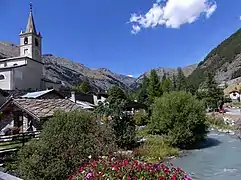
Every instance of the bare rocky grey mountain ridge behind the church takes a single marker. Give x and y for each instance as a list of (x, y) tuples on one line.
[(70, 72)]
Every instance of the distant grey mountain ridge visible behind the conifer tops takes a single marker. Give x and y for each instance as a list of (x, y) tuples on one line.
[(168, 71)]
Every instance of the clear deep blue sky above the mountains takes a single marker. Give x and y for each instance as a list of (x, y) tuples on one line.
[(98, 33)]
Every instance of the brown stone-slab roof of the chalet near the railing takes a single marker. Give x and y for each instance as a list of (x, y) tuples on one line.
[(43, 108)]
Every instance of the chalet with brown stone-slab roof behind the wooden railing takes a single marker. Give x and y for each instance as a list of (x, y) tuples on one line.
[(29, 114)]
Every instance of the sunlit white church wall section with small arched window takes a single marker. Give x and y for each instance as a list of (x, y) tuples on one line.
[(6, 79)]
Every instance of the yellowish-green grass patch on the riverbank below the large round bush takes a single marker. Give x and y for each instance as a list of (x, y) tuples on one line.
[(155, 149)]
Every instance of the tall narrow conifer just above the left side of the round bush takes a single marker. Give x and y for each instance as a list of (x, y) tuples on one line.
[(154, 86)]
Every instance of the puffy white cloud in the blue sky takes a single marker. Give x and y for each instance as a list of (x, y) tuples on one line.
[(172, 13)]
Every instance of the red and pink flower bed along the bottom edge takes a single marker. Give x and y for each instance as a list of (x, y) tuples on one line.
[(109, 168)]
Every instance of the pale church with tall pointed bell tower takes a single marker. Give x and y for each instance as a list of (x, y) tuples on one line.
[(27, 70)]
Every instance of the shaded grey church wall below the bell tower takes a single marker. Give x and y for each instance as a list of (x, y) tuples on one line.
[(28, 77)]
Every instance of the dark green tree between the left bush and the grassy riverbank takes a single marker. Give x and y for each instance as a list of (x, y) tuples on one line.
[(120, 121)]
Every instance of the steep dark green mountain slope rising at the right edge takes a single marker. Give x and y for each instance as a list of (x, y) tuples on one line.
[(224, 61)]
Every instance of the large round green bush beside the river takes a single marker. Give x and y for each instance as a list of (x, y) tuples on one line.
[(179, 117)]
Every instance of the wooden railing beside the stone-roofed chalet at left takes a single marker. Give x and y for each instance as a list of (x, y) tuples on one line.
[(11, 143)]
